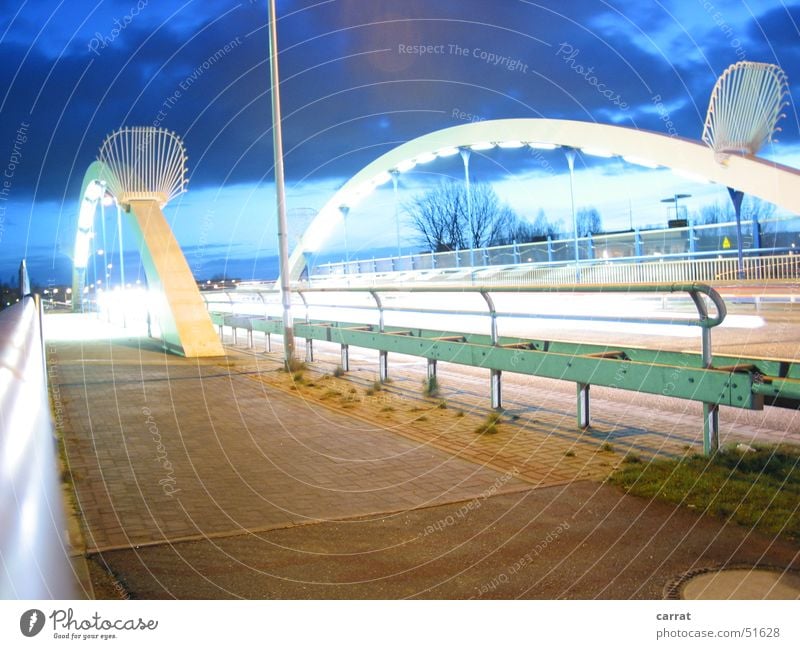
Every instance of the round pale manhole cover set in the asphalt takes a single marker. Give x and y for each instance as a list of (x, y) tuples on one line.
[(741, 583)]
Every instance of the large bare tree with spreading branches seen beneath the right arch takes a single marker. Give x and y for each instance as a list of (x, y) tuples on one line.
[(446, 220)]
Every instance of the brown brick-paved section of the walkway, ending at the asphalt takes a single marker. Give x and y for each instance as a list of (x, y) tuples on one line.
[(168, 448)]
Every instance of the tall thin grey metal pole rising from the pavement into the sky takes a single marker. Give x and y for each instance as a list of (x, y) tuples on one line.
[(280, 191)]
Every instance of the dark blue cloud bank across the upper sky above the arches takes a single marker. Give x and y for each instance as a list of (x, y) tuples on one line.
[(355, 82)]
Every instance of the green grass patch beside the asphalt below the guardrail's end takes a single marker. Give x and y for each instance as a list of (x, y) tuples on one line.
[(756, 490)]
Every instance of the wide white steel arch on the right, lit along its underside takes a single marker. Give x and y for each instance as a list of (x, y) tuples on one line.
[(767, 180)]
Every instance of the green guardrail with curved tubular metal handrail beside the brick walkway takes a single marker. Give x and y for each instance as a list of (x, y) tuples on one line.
[(737, 382)]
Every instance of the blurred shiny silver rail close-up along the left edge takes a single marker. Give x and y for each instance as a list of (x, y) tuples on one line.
[(34, 552)]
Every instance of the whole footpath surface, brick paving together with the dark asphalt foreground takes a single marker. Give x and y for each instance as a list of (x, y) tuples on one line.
[(198, 479)]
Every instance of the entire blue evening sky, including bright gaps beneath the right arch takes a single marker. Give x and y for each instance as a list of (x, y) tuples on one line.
[(358, 78)]
